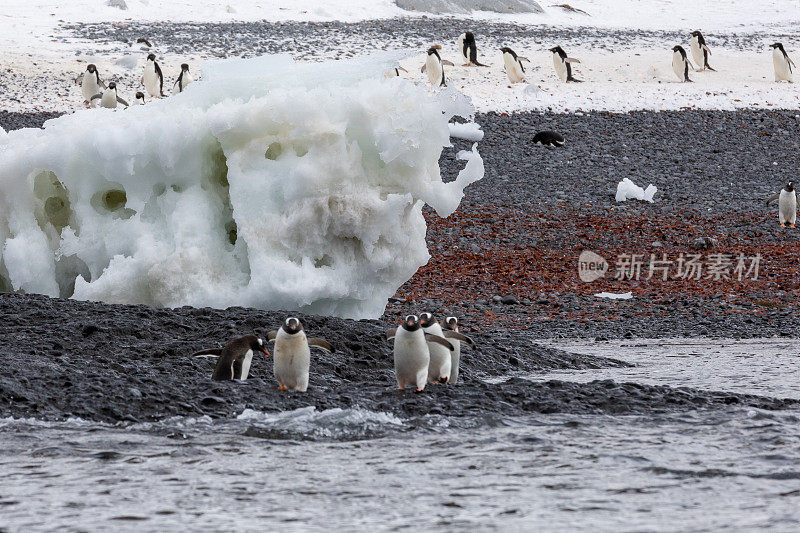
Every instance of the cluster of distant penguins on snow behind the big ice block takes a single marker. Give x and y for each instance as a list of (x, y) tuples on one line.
[(94, 90)]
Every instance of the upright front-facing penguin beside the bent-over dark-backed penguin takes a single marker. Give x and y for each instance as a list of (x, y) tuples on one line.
[(292, 355)]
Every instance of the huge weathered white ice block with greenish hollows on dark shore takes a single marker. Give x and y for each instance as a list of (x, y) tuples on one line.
[(268, 183)]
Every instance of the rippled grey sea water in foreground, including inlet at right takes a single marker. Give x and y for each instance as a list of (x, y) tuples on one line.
[(729, 469)]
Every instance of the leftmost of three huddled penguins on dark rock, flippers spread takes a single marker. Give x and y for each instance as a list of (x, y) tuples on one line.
[(411, 353)]
